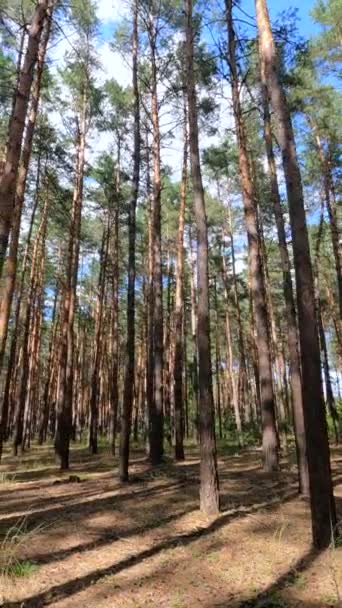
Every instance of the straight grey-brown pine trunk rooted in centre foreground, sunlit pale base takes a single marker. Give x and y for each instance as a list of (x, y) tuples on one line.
[(209, 485)]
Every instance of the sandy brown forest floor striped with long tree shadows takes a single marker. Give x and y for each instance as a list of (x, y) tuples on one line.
[(100, 544)]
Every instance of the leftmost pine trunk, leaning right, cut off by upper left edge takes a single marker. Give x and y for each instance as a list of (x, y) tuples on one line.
[(8, 176)]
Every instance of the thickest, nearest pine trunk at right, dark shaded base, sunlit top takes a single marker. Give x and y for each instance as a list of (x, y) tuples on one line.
[(322, 503)]
